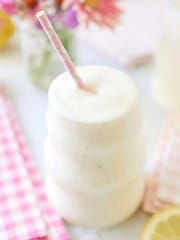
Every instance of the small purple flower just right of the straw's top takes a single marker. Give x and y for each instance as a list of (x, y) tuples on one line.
[(69, 18)]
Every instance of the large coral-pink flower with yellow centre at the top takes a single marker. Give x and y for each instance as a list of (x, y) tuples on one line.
[(102, 12)]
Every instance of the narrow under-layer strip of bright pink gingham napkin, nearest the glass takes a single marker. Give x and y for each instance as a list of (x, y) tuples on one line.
[(55, 226)]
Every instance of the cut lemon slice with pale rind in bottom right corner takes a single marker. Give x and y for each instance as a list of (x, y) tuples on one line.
[(164, 225)]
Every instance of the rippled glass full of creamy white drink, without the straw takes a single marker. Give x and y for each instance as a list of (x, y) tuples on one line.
[(94, 151)]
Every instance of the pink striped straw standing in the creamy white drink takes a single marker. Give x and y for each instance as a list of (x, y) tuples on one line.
[(58, 46)]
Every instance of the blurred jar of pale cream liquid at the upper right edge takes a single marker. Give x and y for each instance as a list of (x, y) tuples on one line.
[(166, 85)]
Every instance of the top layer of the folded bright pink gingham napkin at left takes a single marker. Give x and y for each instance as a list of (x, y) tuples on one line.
[(20, 216)]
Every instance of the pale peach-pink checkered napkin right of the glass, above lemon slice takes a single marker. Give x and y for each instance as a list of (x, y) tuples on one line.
[(163, 179)]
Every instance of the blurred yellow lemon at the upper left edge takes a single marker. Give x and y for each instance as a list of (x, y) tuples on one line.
[(6, 28)]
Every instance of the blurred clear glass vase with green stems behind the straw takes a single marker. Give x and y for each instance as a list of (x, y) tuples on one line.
[(41, 63)]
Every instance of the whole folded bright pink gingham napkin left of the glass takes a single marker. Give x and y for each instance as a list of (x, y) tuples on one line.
[(25, 212)]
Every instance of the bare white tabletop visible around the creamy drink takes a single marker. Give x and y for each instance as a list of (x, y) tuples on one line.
[(31, 103)]
